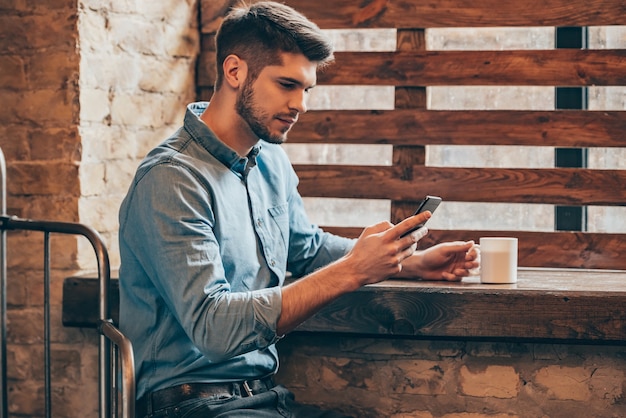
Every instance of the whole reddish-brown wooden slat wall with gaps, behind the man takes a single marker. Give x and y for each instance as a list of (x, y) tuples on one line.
[(410, 126)]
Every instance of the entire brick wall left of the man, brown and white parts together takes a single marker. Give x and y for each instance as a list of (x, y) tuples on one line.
[(87, 88)]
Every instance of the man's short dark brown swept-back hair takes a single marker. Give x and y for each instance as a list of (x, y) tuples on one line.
[(260, 32)]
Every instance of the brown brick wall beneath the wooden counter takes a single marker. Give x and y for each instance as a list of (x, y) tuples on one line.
[(400, 378)]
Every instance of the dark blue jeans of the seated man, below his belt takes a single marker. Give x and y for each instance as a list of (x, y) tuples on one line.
[(275, 403)]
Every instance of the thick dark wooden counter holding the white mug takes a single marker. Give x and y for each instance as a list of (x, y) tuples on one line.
[(568, 305)]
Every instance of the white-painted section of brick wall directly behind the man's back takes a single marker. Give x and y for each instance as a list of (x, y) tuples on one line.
[(137, 74)]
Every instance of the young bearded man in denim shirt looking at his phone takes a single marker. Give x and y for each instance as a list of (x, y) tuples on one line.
[(213, 221)]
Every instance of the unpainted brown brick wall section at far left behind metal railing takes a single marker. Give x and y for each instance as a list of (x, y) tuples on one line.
[(39, 73)]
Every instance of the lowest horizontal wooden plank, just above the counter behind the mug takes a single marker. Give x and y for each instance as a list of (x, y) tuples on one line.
[(538, 249)]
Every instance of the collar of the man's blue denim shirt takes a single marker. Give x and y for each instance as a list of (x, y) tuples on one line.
[(205, 136)]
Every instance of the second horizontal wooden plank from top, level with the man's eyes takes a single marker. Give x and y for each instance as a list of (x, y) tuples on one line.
[(562, 67)]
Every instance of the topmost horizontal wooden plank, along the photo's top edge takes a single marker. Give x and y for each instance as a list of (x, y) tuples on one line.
[(443, 13)]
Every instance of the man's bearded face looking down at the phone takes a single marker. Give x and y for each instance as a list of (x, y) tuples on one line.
[(270, 105)]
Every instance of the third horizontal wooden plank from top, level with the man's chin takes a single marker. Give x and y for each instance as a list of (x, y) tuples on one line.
[(424, 127)]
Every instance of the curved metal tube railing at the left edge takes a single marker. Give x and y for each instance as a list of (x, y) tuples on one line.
[(113, 345)]
